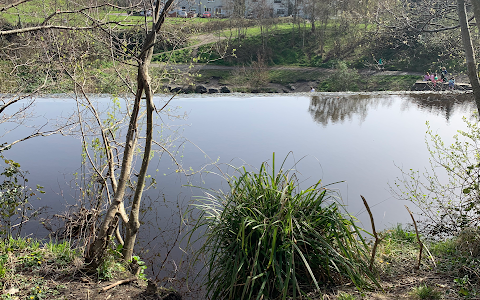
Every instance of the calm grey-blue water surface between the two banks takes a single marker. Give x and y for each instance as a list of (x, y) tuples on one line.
[(358, 140)]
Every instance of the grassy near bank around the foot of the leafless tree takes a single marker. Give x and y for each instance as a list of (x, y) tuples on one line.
[(38, 270)]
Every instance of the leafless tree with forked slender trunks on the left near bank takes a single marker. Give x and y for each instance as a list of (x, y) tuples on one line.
[(87, 17)]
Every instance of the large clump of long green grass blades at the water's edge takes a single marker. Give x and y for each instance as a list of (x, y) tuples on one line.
[(266, 239)]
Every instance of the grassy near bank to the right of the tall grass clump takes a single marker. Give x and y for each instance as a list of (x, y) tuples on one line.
[(450, 272)]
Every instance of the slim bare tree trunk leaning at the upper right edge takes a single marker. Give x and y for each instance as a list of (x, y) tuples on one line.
[(469, 54)]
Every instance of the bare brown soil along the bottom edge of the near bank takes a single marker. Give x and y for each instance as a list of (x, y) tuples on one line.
[(82, 287)]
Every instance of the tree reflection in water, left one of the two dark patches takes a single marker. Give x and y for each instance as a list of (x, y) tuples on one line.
[(334, 109)]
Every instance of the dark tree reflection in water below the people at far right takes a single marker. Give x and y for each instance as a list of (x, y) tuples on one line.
[(441, 104)]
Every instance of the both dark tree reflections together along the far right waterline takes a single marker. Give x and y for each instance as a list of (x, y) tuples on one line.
[(333, 109)]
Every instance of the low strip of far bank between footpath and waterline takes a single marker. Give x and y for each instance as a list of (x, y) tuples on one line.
[(205, 78)]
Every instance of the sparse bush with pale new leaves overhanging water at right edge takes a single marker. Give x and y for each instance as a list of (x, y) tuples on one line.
[(453, 204)]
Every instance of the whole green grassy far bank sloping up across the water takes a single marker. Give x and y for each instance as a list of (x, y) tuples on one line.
[(247, 55)]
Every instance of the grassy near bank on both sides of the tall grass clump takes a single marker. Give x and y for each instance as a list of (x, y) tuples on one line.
[(30, 269)]
